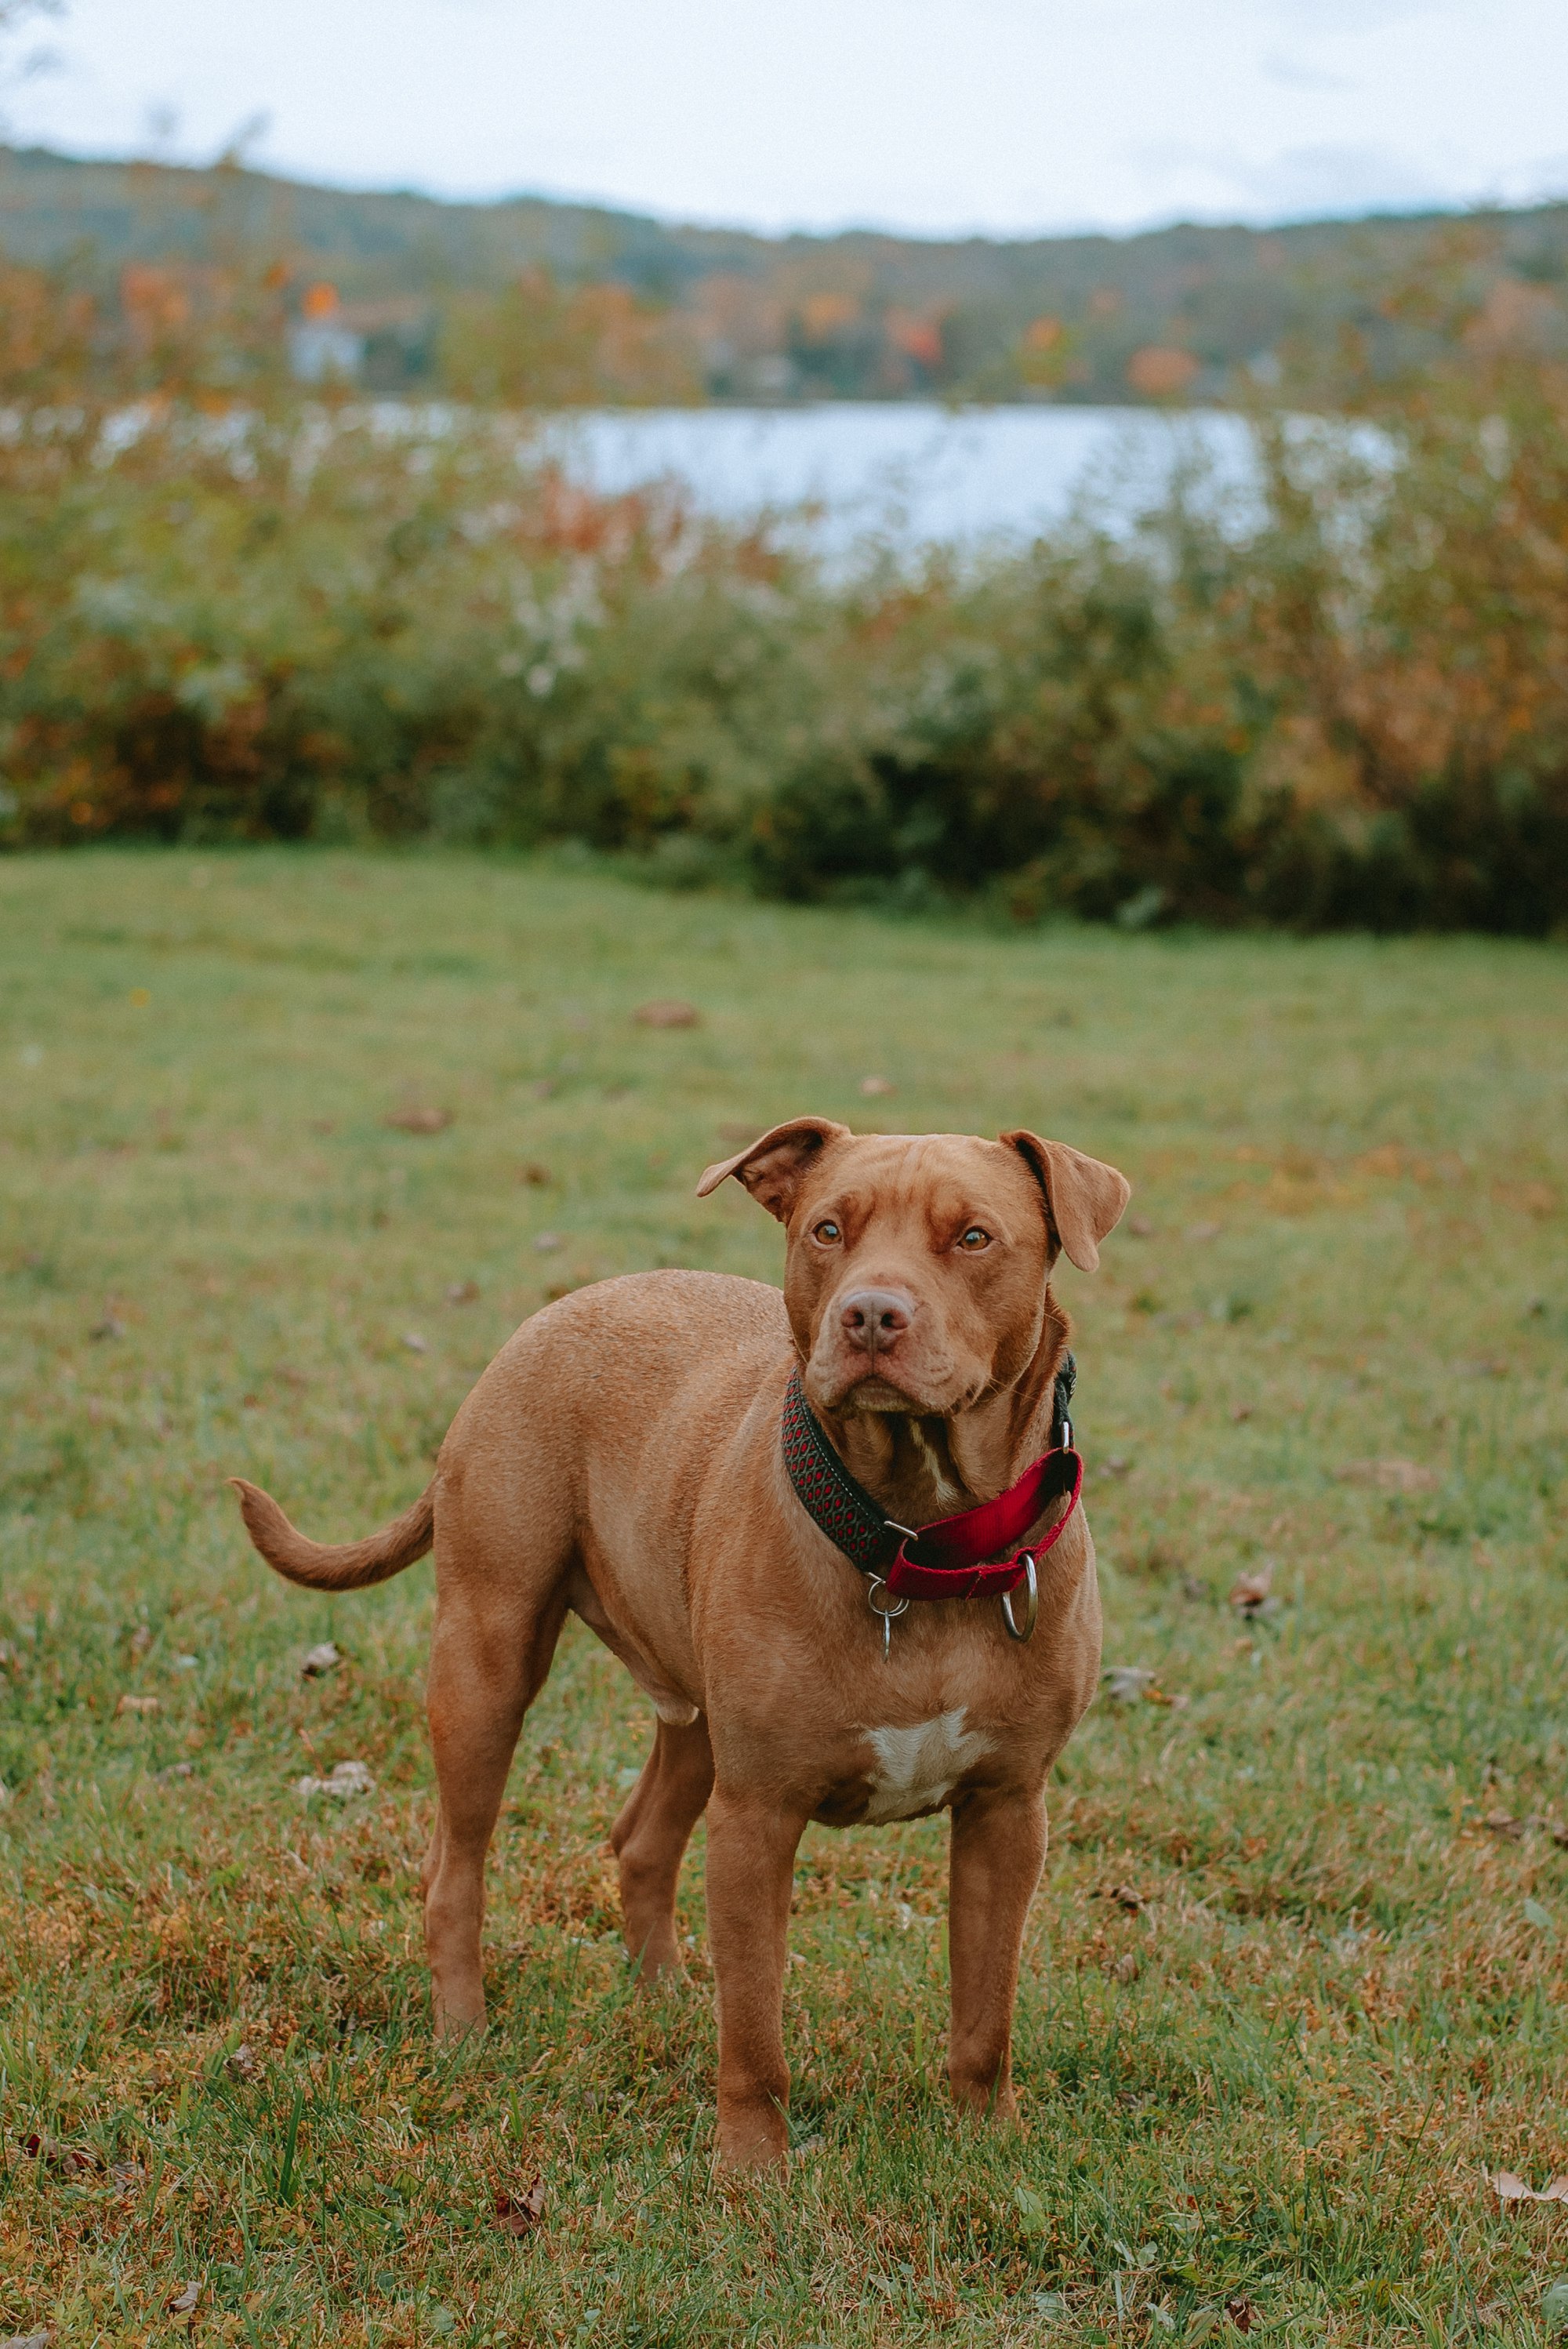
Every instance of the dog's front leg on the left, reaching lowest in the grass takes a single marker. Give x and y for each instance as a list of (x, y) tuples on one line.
[(750, 1878)]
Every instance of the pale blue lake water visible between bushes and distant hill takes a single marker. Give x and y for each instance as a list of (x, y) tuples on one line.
[(903, 473)]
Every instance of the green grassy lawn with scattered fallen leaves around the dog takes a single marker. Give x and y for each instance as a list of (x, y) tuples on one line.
[(1295, 1979)]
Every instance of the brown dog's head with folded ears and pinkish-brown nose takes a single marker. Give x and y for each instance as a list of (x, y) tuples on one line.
[(919, 1265)]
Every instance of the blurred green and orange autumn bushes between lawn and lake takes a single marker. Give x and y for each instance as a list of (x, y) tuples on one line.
[(236, 612)]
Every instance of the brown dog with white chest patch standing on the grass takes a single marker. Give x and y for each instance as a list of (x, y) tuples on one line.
[(623, 1458)]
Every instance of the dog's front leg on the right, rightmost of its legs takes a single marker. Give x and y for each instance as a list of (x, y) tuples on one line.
[(999, 1852)]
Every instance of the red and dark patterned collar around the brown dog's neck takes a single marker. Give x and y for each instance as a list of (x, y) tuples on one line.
[(952, 1559)]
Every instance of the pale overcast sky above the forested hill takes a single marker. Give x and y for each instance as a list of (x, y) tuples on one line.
[(816, 114)]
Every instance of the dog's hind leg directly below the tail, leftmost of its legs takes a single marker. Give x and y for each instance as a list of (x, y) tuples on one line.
[(487, 1664)]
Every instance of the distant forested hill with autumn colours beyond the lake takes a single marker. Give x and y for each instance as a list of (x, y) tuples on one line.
[(1172, 314)]
